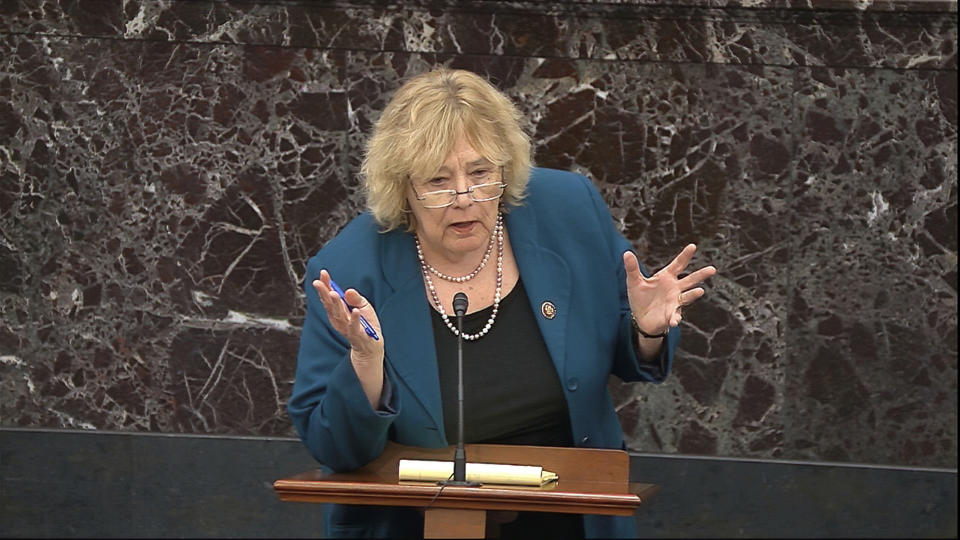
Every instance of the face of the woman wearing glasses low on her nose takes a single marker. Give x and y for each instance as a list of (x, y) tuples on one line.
[(456, 231)]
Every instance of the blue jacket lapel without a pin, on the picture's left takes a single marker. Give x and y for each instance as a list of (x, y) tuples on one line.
[(407, 327)]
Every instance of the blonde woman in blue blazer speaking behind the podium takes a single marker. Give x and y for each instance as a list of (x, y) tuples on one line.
[(557, 302)]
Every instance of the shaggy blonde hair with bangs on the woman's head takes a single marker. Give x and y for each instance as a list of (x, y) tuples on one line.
[(420, 126)]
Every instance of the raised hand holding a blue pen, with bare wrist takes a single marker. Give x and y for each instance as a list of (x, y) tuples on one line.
[(366, 353)]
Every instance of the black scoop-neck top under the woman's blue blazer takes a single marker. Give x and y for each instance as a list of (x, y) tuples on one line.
[(512, 394)]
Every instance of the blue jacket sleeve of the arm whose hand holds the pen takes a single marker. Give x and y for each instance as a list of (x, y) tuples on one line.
[(328, 407)]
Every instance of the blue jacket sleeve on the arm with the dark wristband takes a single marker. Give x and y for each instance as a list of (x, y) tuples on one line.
[(627, 364)]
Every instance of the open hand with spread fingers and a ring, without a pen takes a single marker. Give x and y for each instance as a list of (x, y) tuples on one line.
[(657, 301)]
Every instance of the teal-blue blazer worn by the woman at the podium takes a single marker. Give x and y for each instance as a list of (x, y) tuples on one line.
[(569, 253)]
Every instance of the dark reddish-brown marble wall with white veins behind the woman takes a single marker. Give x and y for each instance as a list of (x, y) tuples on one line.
[(166, 168)]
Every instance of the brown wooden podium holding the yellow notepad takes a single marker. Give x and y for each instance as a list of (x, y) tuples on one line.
[(591, 481)]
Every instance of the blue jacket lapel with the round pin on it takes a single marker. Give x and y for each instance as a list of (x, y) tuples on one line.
[(546, 277)]
